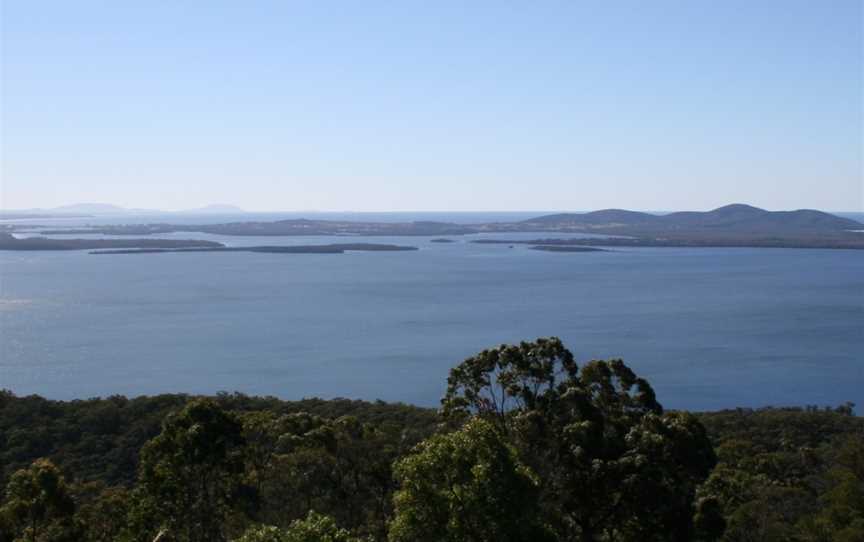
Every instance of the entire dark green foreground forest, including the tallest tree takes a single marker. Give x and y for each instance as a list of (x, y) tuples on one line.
[(527, 445)]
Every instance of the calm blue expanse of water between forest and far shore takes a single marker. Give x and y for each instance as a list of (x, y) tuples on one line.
[(709, 328)]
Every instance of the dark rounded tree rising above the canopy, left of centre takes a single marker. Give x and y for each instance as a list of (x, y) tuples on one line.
[(190, 474)]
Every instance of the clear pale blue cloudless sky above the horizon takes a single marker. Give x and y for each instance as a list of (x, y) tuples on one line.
[(444, 105)]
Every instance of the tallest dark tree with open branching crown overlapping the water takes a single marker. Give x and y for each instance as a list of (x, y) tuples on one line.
[(611, 464)]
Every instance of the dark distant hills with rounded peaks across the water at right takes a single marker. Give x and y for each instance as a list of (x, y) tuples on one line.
[(730, 218)]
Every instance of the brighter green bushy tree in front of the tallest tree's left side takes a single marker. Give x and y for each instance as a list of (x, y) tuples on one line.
[(466, 486)]
